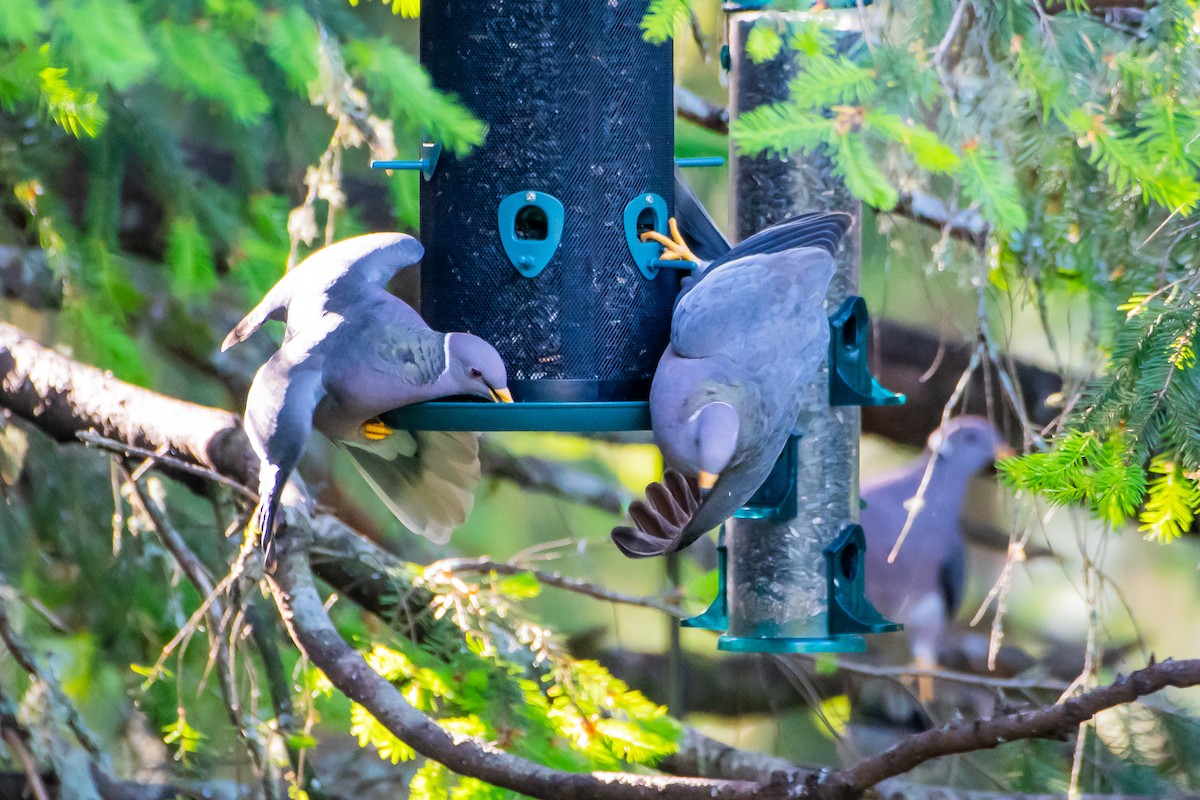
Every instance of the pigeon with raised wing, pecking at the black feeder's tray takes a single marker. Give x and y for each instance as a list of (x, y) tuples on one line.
[(351, 352)]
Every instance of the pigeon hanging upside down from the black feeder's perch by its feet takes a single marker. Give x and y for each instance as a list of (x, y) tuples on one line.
[(748, 332)]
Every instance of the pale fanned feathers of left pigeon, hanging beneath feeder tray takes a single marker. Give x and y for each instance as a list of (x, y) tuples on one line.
[(430, 486)]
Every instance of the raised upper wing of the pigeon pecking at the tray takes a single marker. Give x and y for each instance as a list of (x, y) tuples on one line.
[(351, 267)]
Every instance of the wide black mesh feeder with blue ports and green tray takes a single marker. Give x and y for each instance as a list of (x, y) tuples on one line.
[(533, 240)]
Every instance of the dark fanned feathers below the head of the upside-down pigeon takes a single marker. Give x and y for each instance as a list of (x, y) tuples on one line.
[(661, 519)]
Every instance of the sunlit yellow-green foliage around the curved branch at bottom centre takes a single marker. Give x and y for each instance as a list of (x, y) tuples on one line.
[(494, 676)]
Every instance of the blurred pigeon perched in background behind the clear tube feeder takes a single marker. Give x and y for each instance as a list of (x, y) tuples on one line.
[(922, 587)]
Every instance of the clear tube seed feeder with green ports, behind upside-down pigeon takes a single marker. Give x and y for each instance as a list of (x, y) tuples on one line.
[(793, 561)]
